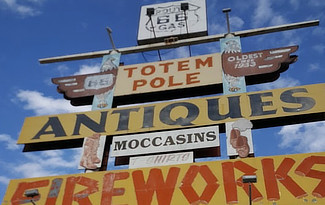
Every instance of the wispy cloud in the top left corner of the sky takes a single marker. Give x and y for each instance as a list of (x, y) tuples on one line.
[(22, 9)]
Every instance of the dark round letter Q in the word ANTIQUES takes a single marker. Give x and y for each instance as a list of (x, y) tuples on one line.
[(192, 113)]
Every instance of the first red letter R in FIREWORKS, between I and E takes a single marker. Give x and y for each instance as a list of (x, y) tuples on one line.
[(82, 196)]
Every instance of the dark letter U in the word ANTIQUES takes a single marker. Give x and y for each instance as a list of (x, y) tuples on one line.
[(214, 110)]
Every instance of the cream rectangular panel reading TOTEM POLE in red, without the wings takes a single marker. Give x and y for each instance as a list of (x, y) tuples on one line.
[(168, 75)]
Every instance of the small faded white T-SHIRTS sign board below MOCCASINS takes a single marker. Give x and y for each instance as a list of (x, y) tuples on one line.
[(161, 160)]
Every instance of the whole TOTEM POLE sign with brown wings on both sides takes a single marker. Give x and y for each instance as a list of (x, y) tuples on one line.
[(198, 75)]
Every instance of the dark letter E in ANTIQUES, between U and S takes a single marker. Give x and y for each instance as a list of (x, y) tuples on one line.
[(257, 104)]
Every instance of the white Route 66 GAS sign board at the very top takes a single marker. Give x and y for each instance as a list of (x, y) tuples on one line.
[(168, 19)]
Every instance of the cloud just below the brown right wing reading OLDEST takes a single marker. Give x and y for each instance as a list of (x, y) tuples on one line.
[(282, 82)]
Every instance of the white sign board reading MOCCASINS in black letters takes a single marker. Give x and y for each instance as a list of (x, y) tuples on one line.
[(159, 142)]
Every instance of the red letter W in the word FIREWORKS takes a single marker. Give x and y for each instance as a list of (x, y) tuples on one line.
[(155, 183)]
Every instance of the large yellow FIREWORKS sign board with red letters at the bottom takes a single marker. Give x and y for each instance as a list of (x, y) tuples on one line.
[(288, 179)]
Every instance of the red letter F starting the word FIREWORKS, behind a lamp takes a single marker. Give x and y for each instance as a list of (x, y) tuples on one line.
[(19, 198)]
